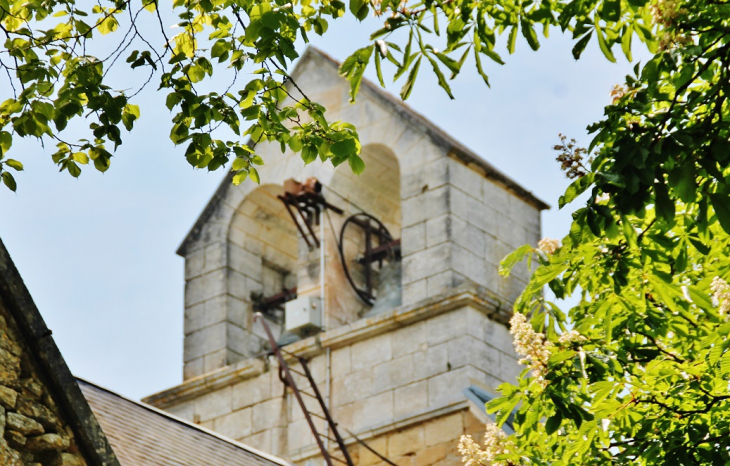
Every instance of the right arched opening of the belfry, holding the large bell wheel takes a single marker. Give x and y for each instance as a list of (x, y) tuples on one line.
[(374, 283)]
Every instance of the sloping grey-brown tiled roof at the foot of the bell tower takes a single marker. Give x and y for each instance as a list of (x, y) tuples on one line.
[(142, 435)]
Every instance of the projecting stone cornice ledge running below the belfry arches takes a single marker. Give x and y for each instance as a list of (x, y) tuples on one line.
[(465, 295)]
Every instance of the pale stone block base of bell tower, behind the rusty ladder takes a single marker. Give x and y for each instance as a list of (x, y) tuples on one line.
[(401, 390)]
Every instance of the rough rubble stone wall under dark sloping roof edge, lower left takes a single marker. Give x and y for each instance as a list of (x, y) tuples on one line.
[(32, 428)]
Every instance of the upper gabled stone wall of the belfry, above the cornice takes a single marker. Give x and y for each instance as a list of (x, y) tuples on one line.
[(455, 215)]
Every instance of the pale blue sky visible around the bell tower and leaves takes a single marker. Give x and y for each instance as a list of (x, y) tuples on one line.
[(98, 252)]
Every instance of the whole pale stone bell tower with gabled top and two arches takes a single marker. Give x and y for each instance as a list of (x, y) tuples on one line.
[(403, 264)]
